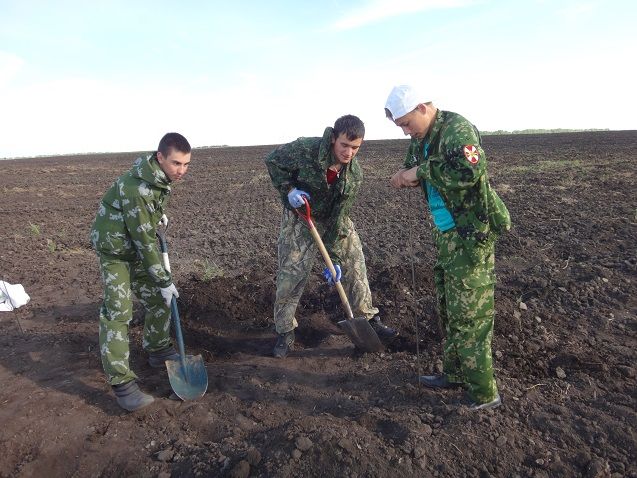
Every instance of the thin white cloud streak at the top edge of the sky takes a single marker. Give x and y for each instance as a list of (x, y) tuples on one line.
[(378, 10)]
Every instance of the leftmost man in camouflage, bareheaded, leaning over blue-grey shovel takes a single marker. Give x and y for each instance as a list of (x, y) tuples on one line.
[(123, 235)]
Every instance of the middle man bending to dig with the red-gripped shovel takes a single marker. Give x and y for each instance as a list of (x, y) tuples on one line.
[(324, 171)]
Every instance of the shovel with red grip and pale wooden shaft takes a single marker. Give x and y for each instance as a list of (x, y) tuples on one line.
[(358, 329)]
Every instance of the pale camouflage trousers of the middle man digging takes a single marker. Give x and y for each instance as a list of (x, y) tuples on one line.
[(297, 254)]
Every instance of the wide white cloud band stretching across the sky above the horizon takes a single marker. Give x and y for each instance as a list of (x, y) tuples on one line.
[(254, 106)]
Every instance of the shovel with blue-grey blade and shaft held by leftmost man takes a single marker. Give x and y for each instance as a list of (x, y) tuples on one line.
[(188, 376)]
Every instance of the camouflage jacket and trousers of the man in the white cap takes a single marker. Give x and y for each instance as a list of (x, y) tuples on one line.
[(464, 271)]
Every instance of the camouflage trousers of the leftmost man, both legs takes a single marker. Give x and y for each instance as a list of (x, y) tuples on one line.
[(120, 278)]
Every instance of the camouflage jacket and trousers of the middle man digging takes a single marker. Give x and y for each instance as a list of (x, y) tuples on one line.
[(303, 164)]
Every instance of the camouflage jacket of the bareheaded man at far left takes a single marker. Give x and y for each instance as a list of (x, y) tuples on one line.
[(128, 215)]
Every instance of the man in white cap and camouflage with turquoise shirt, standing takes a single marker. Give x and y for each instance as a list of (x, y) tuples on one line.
[(446, 159)]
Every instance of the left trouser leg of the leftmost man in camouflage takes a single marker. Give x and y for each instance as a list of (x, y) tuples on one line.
[(116, 313)]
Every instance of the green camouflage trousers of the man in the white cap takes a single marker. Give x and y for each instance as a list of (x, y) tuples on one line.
[(465, 291)]
